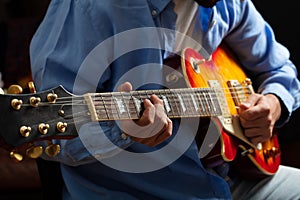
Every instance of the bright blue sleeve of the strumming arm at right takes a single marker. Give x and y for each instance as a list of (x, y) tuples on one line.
[(266, 61)]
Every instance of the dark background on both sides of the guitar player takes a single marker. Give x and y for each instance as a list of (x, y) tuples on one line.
[(18, 22)]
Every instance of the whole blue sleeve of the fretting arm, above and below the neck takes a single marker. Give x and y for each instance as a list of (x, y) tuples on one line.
[(60, 45)]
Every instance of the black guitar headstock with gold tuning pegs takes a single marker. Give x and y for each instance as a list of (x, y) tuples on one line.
[(29, 117)]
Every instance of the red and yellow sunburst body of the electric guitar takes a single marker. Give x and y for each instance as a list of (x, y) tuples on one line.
[(224, 73)]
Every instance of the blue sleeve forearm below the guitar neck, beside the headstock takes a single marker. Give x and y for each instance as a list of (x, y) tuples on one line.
[(94, 142)]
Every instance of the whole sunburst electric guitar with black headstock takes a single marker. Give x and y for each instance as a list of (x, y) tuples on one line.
[(214, 89)]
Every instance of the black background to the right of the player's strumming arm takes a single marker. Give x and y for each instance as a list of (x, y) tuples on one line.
[(283, 17)]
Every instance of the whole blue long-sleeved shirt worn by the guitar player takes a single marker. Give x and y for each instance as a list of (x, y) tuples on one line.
[(94, 45)]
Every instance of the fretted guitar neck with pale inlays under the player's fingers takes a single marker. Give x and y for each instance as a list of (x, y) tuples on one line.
[(178, 103)]
